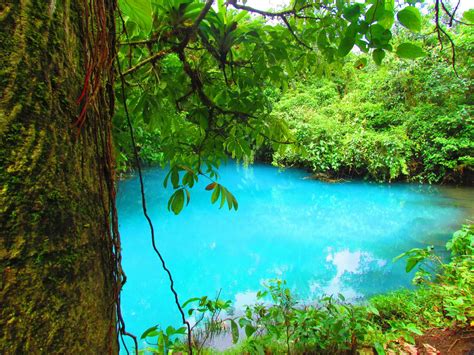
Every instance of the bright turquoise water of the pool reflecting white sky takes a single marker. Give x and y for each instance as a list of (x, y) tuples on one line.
[(322, 238)]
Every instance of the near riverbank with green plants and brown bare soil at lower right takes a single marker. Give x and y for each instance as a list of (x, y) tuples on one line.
[(435, 318)]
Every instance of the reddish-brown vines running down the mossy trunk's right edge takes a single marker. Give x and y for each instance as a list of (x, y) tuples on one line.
[(97, 97)]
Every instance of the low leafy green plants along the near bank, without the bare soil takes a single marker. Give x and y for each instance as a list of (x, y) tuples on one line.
[(279, 323)]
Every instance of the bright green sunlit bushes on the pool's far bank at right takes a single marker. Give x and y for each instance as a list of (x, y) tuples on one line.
[(406, 120)]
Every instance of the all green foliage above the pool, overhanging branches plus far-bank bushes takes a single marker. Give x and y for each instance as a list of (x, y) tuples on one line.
[(231, 94)]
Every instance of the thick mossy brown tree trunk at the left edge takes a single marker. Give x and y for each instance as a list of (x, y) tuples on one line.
[(57, 259)]
